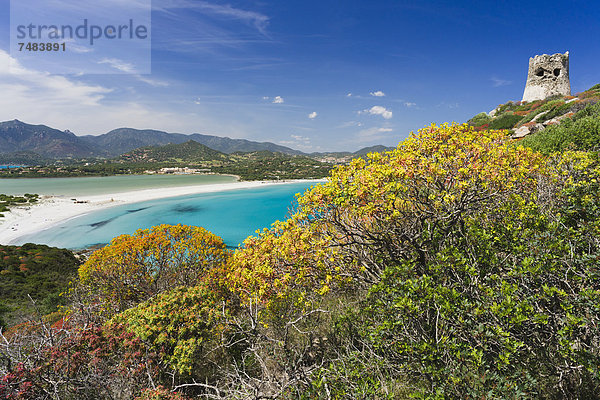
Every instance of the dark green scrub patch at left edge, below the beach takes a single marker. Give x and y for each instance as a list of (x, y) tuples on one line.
[(33, 276)]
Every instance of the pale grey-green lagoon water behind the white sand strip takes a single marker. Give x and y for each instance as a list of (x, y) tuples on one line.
[(105, 184)]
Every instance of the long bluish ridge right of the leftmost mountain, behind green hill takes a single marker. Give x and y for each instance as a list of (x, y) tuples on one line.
[(122, 140)]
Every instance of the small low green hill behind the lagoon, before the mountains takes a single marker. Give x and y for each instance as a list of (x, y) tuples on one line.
[(188, 152)]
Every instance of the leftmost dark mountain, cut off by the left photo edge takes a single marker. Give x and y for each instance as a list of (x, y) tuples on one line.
[(17, 136)]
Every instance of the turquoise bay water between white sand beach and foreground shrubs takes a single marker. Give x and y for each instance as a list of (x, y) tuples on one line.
[(233, 215)]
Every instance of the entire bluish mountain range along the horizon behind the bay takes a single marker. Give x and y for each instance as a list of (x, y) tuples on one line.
[(22, 141)]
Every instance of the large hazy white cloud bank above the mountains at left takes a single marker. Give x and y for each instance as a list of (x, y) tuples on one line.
[(61, 102)]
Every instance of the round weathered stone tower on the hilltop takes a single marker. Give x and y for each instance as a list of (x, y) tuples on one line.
[(548, 75)]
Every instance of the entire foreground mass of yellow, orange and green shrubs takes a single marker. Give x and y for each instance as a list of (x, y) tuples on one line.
[(457, 266)]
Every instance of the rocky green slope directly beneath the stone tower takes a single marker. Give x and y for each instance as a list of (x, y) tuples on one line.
[(524, 118)]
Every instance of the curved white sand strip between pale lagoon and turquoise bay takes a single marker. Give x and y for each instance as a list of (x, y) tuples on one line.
[(53, 210)]
